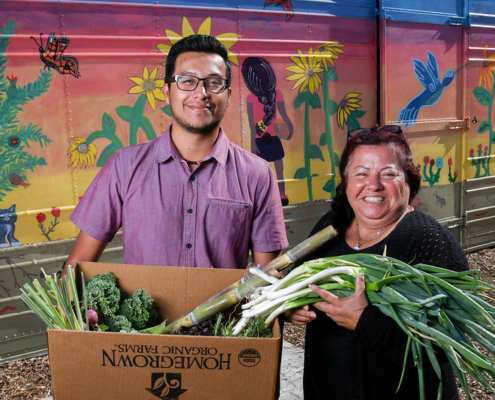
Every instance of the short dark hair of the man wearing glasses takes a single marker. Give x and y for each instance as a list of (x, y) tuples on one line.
[(197, 44)]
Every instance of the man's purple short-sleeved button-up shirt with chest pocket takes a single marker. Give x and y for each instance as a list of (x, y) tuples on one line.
[(171, 216)]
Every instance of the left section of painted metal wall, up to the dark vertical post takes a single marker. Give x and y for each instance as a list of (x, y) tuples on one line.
[(111, 39)]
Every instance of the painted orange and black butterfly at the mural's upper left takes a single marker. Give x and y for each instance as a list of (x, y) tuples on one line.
[(53, 58)]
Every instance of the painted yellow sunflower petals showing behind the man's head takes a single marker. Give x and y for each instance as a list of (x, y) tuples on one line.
[(228, 39)]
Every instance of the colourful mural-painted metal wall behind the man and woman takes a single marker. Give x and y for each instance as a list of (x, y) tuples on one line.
[(115, 39)]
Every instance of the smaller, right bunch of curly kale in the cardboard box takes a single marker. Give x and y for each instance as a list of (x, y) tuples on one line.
[(139, 310)]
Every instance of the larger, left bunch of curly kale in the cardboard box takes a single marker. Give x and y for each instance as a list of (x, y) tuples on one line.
[(104, 296)]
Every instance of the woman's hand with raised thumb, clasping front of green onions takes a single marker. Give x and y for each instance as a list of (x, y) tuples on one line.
[(344, 311)]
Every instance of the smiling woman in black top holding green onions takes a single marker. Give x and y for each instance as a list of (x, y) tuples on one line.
[(353, 351)]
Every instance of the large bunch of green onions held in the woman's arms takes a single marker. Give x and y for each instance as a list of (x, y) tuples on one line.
[(432, 305)]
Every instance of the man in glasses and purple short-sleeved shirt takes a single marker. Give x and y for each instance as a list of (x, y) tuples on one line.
[(189, 198)]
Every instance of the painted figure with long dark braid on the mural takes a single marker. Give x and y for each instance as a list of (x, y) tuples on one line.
[(262, 105)]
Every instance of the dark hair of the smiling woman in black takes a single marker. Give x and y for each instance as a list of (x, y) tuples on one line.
[(342, 211)]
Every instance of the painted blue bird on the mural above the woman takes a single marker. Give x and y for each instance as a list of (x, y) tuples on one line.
[(429, 78)]
